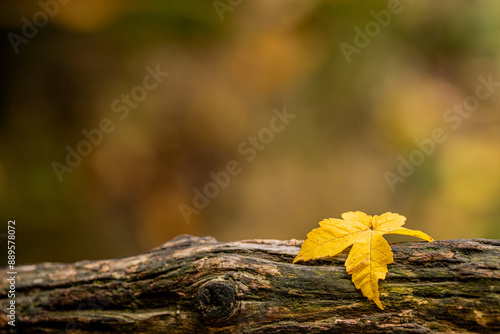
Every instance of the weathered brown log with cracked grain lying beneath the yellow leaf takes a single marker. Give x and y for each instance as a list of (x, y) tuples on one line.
[(199, 285)]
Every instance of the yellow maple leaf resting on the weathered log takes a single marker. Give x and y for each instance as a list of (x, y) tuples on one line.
[(368, 259)]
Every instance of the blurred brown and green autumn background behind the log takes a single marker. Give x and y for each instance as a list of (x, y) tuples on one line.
[(229, 66)]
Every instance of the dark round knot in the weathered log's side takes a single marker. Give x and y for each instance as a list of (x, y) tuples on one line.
[(217, 300)]
